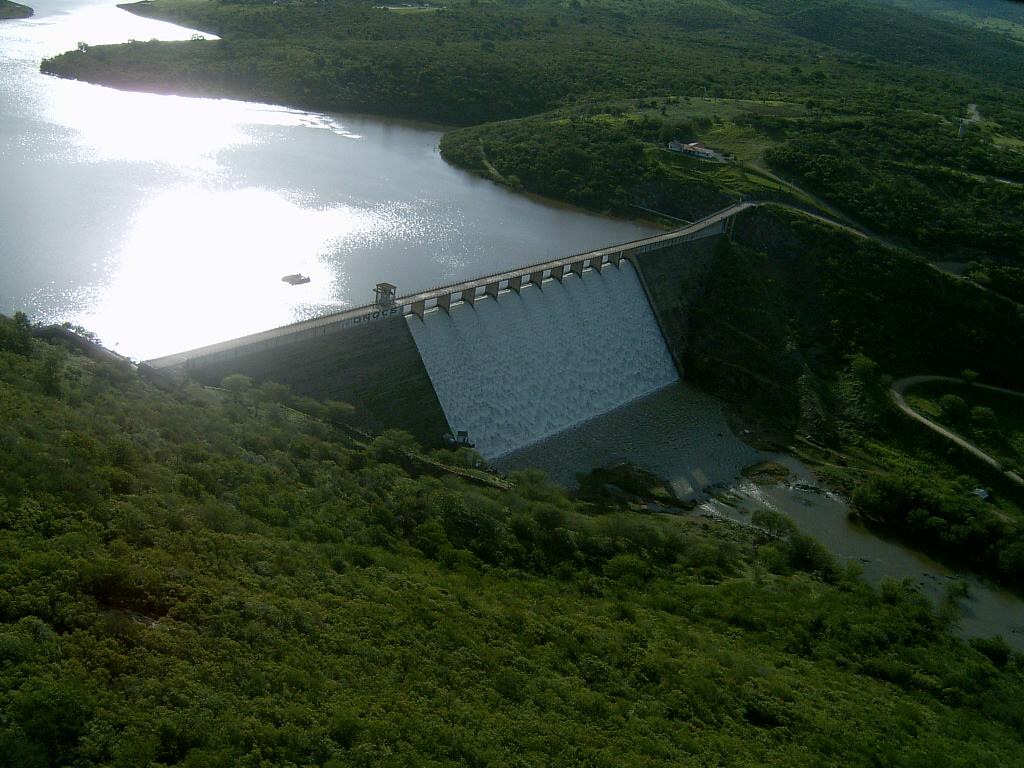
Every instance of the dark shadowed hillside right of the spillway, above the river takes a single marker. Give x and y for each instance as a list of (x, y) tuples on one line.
[(802, 327)]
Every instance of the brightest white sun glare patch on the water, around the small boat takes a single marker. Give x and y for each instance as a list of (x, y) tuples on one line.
[(208, 259)]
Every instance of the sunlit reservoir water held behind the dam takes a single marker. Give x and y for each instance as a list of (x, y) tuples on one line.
[(163, 224)]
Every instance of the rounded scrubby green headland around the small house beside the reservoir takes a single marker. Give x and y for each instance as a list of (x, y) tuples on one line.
[(613, 156)]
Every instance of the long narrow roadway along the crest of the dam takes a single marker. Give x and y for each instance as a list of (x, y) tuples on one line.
[(444, 297)]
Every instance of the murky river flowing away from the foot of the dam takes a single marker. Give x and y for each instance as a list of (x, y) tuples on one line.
[(682, 436)]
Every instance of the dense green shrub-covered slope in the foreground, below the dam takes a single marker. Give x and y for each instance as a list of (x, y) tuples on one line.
[(188, 581)]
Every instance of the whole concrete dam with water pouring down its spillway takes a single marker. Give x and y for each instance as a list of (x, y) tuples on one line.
[(509, 359)]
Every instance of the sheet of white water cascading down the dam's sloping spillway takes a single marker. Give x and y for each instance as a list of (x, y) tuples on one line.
[(526, 367)]
